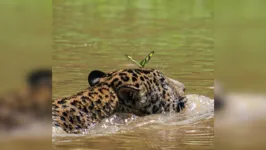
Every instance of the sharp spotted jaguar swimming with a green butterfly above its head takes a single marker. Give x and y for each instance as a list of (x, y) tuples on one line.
[(138, 91)]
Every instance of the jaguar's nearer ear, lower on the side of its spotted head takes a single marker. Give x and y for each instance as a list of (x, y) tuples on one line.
[(128, 93)]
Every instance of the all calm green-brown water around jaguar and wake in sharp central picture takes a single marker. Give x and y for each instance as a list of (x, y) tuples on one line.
[(92, 35)]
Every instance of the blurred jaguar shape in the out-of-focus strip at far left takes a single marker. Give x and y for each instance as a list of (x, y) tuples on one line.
[(21, 107)]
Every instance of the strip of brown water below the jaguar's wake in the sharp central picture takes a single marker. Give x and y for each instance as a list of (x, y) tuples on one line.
[(163, 137)]
